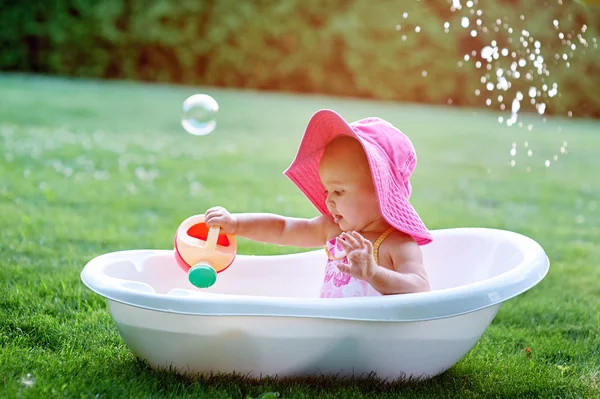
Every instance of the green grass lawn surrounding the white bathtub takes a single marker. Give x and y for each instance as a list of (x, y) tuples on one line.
[(90, 167)]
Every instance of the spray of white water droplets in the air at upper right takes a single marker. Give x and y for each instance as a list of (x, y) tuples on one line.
[(516, 66)]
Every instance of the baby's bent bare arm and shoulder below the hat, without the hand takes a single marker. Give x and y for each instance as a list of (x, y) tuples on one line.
[(407, 274)]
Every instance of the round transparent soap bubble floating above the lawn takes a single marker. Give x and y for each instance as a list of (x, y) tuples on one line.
[(199, 114)]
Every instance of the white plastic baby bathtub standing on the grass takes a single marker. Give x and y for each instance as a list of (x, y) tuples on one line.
[(263, 315)]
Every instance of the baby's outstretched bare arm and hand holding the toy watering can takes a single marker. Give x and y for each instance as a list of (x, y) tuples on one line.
[(274, 229)]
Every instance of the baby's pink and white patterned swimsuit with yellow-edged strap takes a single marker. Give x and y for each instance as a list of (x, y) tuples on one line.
[(339, 285)]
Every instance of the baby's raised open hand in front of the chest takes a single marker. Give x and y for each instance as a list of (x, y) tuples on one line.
[(359, 250)]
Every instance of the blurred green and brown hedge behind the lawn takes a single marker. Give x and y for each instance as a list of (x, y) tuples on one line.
[(415, 51)]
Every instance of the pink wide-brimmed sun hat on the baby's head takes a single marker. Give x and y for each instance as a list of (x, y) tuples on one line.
[(392, 160)]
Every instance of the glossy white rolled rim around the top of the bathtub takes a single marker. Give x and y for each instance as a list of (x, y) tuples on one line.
[(437, 304)]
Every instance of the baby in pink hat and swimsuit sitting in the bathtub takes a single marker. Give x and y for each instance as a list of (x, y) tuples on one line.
[(357, 176)]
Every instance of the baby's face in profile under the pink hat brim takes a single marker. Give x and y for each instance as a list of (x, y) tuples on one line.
[(351, 196)]
